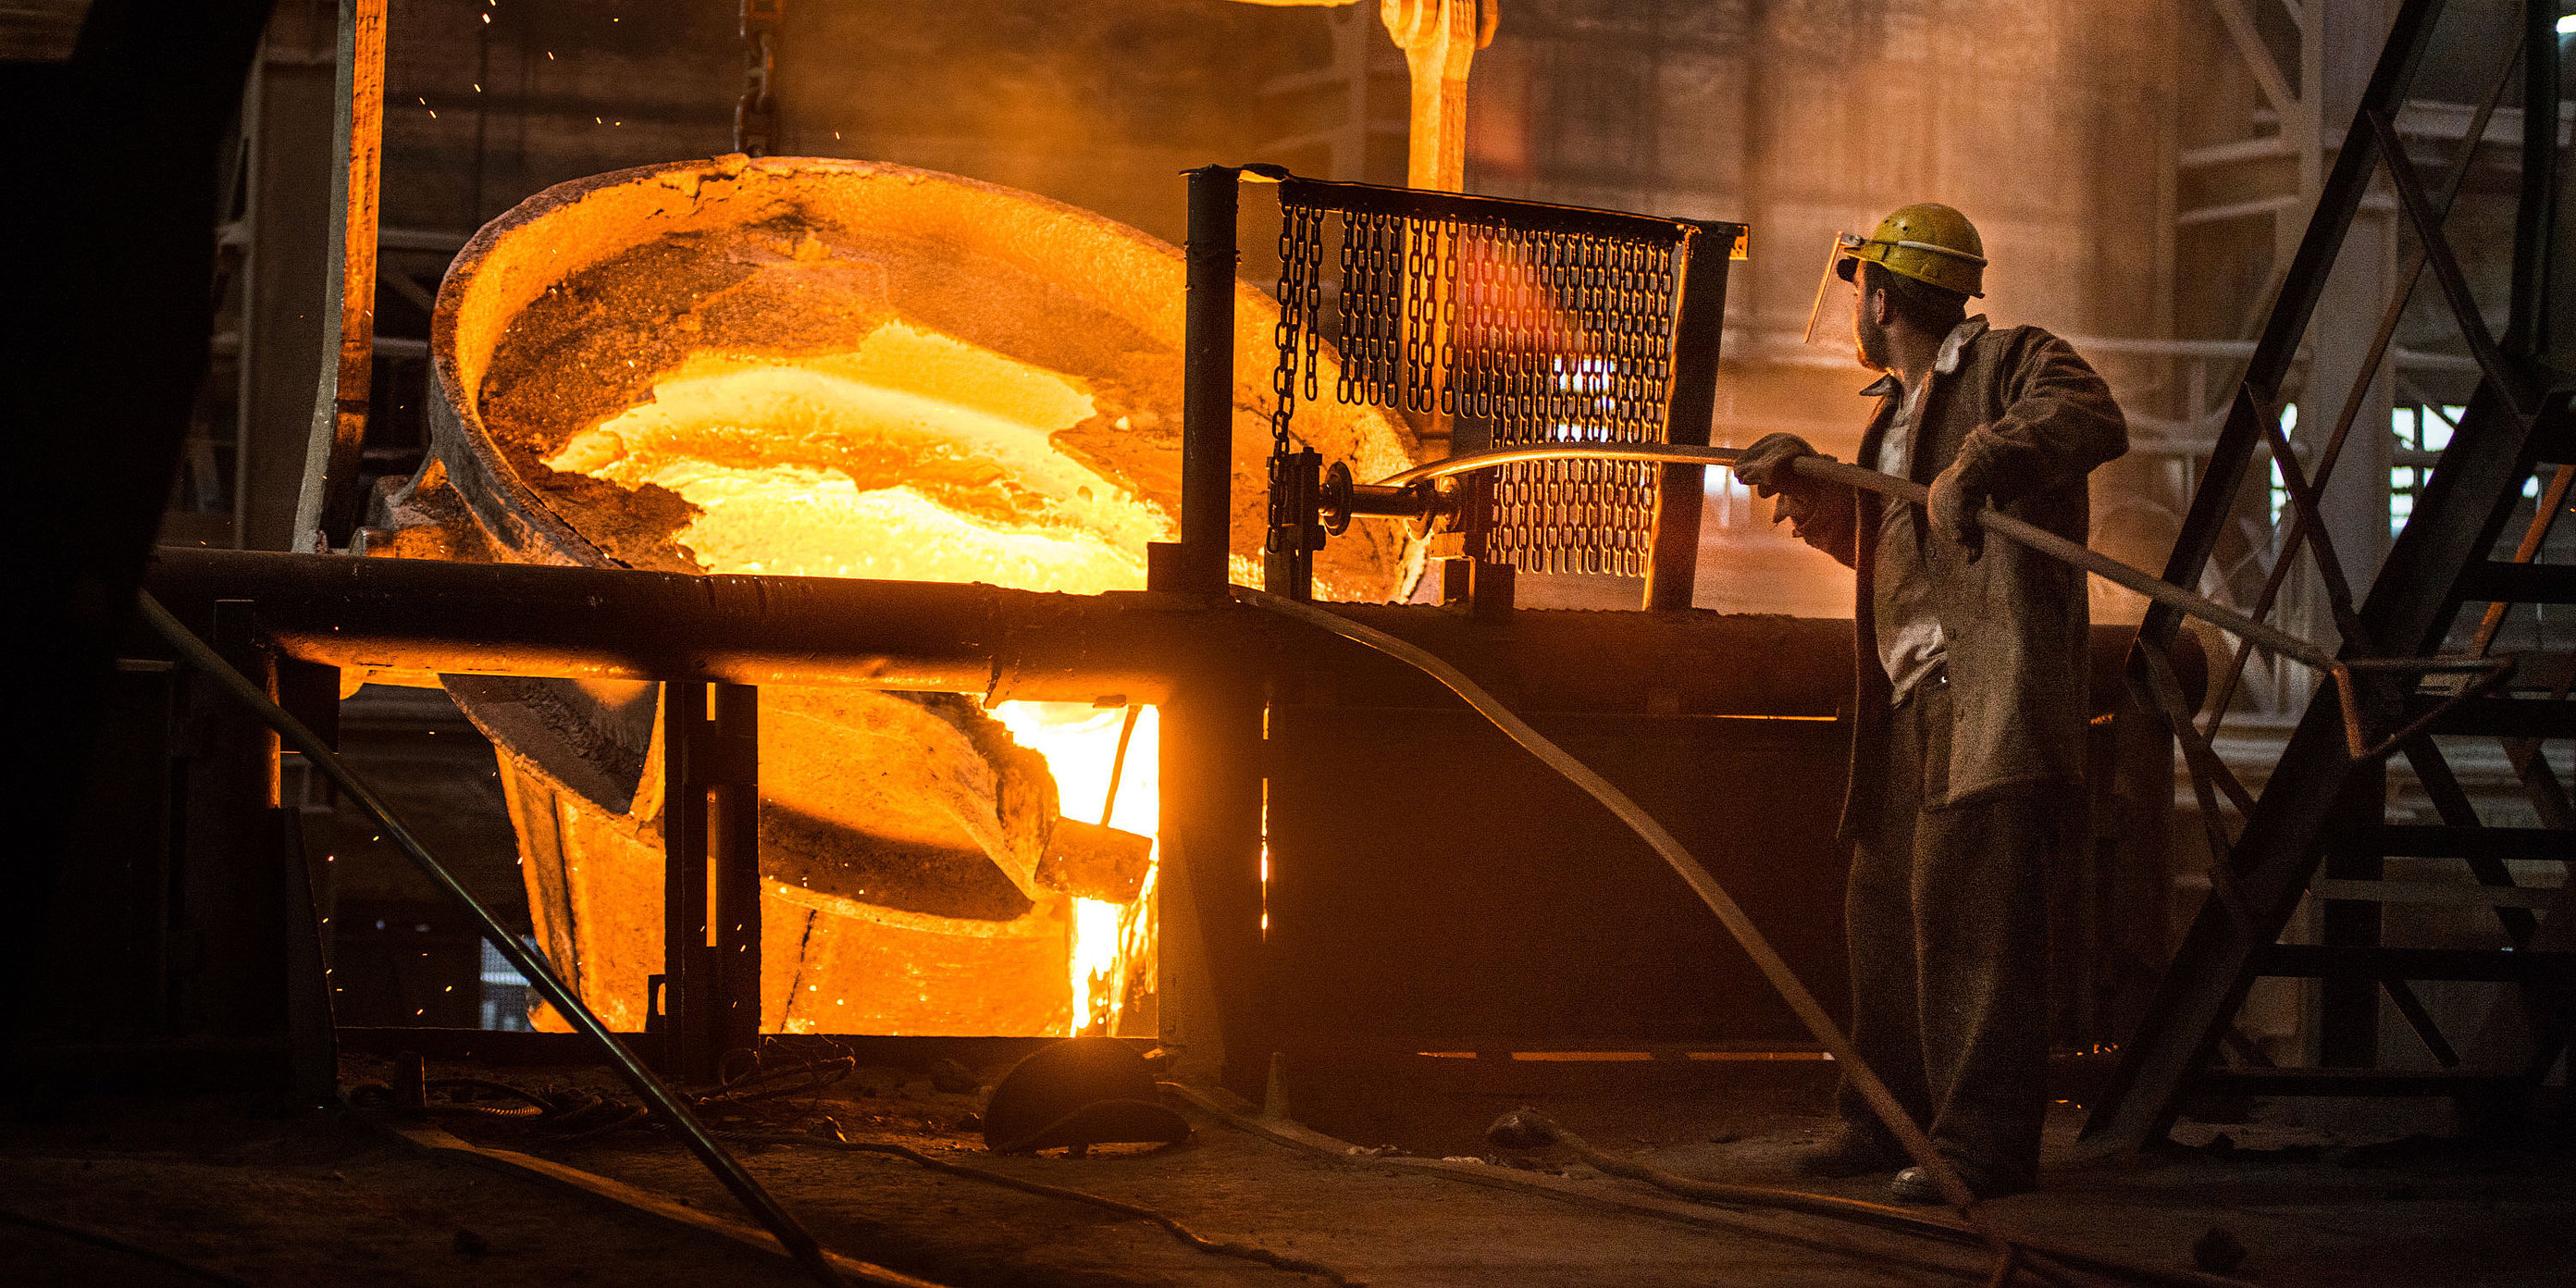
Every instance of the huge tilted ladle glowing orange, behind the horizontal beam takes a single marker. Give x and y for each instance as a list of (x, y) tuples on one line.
[(838, 370)]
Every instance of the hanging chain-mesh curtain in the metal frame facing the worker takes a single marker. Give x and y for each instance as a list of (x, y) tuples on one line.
[(1526, 323)]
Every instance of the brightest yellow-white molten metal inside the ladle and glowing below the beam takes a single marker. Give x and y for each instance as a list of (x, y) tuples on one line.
[(918, 457)]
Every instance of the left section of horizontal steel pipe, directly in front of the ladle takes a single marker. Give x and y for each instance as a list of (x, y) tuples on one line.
[(625, 625)]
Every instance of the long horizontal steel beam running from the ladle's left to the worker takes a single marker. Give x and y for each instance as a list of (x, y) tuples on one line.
[(625, 625)]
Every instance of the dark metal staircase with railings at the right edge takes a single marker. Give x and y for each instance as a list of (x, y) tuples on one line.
[(2307, 808)]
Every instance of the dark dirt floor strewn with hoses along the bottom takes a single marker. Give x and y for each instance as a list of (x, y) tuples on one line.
[(220, 1191)]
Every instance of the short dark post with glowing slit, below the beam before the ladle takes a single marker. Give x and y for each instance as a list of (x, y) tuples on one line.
[(710, 875)]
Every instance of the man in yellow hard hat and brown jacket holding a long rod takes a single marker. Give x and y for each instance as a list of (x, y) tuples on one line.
[(1972, 694)]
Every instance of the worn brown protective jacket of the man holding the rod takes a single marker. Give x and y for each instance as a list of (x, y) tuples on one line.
[(2026, 416)]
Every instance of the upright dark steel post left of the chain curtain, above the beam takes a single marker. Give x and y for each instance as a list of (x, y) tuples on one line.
[(1207, 385)]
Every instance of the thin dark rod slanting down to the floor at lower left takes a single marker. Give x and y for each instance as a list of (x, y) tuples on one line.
[(658, 1096)]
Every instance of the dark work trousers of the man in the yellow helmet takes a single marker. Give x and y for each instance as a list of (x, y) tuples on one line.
[(1949, 926)]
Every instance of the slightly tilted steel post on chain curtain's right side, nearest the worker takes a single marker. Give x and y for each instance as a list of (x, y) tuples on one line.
[(1673, 560)]
